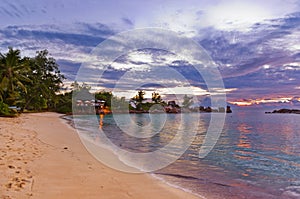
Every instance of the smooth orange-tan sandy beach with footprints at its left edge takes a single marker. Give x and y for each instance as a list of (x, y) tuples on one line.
[(41, 157)]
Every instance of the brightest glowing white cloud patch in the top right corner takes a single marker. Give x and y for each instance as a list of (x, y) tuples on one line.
[(238, 15)]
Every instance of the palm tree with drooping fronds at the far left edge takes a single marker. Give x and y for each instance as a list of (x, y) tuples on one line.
[(12, 75)]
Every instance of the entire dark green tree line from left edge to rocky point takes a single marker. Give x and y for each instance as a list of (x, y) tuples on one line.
[(33, 84)]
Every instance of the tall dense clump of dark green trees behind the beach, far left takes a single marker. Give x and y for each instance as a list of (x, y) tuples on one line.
[(28, 83)]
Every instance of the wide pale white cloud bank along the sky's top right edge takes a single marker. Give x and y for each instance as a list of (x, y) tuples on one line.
[(229, 15)]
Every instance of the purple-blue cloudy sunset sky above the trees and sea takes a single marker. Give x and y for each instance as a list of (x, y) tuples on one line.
[(255, 44)]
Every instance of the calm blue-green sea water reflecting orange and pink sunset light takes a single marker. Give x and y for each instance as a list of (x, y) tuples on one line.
[(256, 156)]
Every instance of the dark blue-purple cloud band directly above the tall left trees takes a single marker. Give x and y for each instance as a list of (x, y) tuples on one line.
[(65, 44)]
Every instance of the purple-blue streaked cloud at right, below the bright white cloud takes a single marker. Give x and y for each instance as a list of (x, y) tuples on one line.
[(270, 43)]
